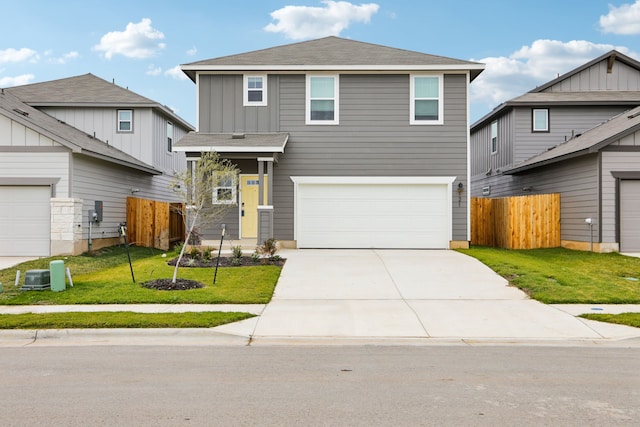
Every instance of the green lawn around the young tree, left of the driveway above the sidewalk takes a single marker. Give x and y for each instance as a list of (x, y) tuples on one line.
[(106, 279)]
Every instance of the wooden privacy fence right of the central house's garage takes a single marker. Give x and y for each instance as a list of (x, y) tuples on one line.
[(522, 222)]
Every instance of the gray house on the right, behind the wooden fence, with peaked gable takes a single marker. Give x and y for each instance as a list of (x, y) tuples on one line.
[(553, 140)]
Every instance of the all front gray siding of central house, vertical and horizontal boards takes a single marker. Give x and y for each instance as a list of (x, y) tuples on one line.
[(374, 137)]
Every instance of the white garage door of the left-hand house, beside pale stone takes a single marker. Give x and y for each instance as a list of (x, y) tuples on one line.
[(25, 221)]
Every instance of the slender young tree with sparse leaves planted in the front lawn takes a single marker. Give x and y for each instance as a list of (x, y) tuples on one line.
[(208, 192)]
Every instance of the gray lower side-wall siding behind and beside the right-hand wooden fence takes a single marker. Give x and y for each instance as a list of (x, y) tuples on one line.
[(577, 182)]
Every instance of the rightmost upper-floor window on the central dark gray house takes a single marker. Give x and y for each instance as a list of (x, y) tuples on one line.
[(426, 99)]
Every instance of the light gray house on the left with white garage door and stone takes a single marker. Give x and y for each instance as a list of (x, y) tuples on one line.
[(67, 144)]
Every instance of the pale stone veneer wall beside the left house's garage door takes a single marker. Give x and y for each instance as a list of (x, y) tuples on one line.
[(66, 226)]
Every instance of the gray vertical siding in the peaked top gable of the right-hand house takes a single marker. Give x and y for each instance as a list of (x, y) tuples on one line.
[(596, 77)]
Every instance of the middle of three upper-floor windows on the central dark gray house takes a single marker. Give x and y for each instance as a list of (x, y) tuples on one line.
[(322, 100)]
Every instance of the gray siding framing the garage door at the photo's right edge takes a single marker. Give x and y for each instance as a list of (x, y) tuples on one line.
[(614, 161)]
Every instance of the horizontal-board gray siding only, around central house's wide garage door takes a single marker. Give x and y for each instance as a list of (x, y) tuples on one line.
[(374, 138)]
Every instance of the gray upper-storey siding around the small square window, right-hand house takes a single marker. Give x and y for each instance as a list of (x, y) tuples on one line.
[(563, 123)]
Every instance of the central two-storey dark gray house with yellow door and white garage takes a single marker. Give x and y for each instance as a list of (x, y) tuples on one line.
[(340, 144)]
